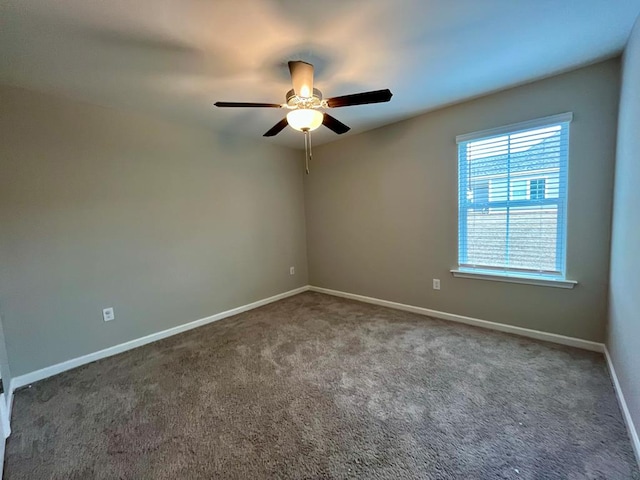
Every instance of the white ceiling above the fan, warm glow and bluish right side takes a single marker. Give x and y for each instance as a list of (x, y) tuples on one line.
[(176, 57)]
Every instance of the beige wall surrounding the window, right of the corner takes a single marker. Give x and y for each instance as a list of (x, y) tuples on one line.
[(382, 208)]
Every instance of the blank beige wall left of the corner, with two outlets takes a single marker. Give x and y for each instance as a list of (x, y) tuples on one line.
[(166, 223)]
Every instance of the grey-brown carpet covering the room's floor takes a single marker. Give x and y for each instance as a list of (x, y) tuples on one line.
[(318, 387)]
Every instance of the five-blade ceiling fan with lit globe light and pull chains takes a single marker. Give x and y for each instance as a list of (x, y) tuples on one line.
[(304, 103)]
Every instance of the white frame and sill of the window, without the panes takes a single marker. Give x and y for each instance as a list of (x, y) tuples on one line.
[(503, 273)]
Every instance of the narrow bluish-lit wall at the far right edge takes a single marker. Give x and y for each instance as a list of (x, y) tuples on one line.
[(624, 308)]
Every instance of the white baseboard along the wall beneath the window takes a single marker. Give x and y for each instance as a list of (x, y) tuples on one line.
[(524, 332)]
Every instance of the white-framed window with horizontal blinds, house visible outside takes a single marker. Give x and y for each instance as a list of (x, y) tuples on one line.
[(512, 191)]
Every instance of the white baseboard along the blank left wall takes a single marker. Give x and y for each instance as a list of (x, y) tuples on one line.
[(31, 377)]
